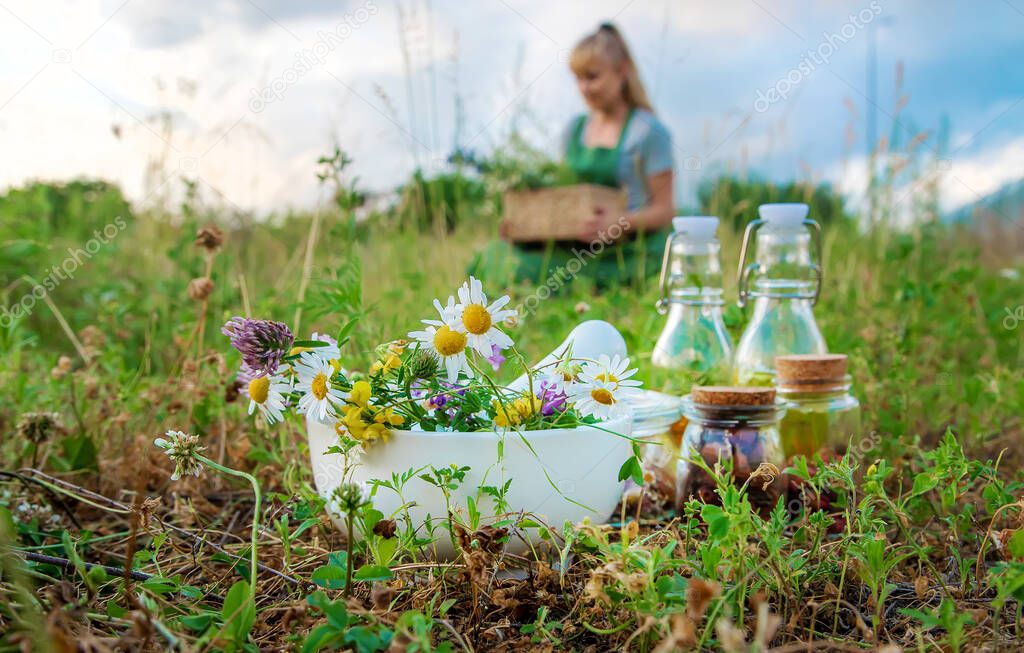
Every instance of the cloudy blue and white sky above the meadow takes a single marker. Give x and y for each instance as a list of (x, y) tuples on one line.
[(245, 96)]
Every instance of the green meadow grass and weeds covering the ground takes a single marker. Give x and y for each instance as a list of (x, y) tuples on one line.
[(921, 314)]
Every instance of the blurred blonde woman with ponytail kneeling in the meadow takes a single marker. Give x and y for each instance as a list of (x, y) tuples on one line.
[(619, 143)]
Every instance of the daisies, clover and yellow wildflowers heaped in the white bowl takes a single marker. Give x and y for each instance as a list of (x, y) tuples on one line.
[(439, 379)]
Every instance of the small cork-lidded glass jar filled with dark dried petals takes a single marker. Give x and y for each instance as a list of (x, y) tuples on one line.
[(732, 424)]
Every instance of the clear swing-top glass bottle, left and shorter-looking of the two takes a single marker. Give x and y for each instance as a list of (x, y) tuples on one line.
[(695, 341)]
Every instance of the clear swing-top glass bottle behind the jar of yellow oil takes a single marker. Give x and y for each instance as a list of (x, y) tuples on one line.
[(785, 280)]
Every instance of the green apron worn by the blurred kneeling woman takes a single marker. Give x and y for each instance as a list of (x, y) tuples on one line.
[(635, 258)]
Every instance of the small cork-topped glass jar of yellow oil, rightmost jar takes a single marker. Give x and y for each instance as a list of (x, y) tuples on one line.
[(824, 413)]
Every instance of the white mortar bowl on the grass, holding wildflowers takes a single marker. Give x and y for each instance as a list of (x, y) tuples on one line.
[(583, 464)]
